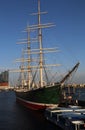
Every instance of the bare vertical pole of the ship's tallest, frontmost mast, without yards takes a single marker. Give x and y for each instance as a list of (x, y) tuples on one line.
[(40, 45)]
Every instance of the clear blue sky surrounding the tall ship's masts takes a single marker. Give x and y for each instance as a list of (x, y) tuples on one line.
[(68, 34)]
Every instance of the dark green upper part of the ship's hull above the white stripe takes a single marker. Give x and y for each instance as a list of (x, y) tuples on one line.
[(49, 95)]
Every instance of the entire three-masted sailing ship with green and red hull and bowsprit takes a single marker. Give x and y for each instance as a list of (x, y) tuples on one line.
[(36, 91)]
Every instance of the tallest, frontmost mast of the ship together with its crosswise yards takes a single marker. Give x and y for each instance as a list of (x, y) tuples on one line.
[(42, 50)]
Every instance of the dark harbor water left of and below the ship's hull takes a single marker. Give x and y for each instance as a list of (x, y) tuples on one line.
[(15, 117)]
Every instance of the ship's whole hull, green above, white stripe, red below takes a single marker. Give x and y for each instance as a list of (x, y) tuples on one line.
[(39, 99)]
